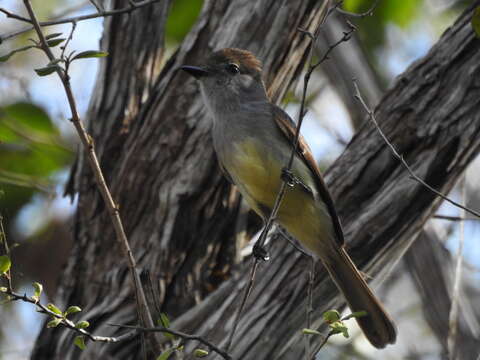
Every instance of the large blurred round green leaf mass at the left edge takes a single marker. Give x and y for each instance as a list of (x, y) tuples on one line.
[(31, 151)]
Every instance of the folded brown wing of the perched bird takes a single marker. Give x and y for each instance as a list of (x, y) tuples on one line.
[(287, 127)]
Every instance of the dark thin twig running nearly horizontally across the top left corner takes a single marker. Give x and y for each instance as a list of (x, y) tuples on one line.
[(128, 9)]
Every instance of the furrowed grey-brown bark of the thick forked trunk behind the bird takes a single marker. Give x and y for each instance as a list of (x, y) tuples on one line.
[(180, 213)]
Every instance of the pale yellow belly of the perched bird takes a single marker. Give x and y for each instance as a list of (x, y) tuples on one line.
[(256, 171)]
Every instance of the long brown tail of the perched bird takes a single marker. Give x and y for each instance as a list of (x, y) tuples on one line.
[(377, 325)]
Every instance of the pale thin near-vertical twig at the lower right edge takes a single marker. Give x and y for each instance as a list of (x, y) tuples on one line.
[(454, 308)]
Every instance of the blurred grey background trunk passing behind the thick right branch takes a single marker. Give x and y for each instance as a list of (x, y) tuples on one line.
[(427, 262)]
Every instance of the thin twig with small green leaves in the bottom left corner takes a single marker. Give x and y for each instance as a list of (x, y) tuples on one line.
[(66, 322)]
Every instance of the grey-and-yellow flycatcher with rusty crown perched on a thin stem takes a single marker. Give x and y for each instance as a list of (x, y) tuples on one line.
[(253, 140)]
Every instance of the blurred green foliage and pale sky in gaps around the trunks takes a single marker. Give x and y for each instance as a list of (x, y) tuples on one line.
[(38, 144)]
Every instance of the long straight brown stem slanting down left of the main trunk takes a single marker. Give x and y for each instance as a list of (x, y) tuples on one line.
[(87, 141)]
